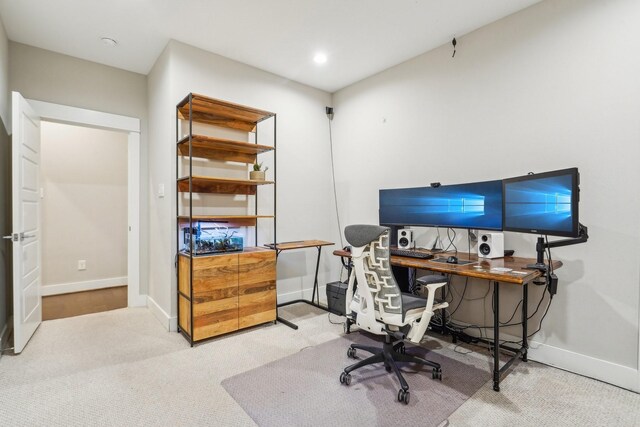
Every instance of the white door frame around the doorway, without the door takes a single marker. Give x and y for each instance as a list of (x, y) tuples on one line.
[(96, 119)]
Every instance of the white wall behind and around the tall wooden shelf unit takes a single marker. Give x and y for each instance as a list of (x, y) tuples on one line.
[(305, 208)]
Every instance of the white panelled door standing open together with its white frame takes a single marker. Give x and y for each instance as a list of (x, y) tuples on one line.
[(27, 116)]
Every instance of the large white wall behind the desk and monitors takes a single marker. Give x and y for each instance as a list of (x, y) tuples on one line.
[(553, 86)]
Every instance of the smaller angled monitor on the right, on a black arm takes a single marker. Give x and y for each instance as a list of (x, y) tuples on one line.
[(543, 203)]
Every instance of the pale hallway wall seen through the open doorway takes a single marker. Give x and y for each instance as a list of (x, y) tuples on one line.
[(84, 210)]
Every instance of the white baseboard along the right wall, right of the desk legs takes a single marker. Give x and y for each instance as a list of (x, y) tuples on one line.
[(612, 373)]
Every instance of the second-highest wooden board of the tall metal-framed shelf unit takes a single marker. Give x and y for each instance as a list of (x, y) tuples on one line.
[(209, 147)]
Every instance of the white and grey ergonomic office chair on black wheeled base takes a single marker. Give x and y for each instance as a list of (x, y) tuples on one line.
[(381, 308)]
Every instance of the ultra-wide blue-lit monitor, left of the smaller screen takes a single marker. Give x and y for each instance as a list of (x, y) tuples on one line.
[(475, 205)]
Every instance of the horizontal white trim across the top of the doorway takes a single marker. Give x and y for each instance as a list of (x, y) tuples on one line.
[(71, 115)]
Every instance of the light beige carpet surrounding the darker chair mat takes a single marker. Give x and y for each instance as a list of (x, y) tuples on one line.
[(122, 368)]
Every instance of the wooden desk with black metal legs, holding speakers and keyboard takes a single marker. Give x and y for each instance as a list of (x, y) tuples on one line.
[(482, 269)]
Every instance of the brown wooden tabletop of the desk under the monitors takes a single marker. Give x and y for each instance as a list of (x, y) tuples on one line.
[(478, 268)]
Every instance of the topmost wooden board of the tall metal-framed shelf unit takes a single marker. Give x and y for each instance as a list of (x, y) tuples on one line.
[(222, 113)]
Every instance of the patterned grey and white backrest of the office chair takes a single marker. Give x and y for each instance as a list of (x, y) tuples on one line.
[(377, 270)]
